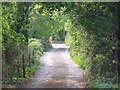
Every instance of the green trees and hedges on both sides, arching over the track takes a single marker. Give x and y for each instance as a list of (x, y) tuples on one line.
[(91, 30)]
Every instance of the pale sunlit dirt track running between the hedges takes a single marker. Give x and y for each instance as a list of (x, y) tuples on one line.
[(58, 71)]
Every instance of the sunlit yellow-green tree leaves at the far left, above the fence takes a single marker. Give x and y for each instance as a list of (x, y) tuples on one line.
[(10, 36)]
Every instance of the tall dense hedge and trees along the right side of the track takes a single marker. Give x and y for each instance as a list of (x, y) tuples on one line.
[(92, 34)]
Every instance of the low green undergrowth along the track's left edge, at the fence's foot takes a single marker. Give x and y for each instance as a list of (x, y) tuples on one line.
[(19, 80)]
